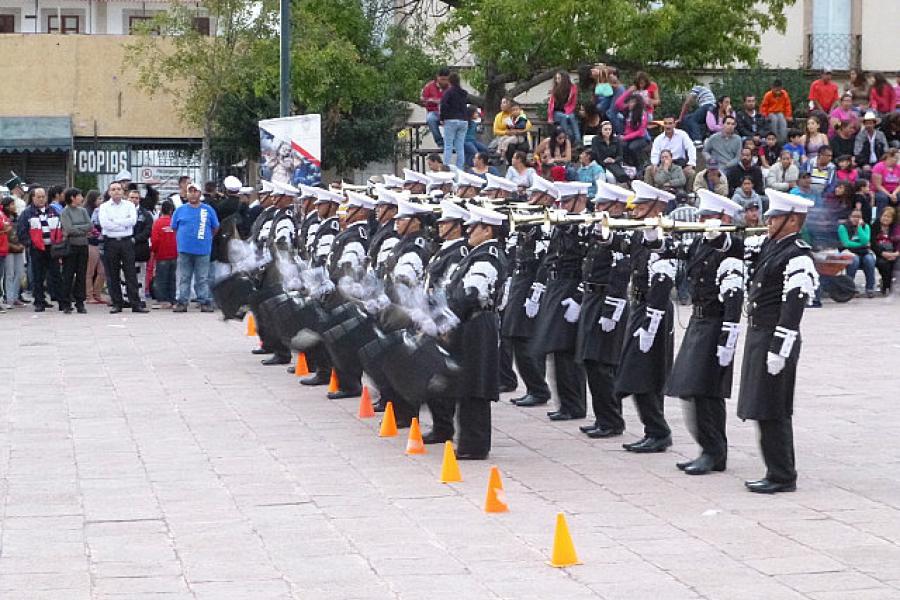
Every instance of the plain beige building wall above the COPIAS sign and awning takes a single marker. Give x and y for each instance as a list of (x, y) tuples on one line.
[(91, 86)]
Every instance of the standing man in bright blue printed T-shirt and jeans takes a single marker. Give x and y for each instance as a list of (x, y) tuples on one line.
[(195, 225)]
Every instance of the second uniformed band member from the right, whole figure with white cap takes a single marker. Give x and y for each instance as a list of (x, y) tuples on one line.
[(701, 375)]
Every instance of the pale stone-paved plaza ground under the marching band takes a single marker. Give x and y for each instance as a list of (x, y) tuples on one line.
[(152, 457)]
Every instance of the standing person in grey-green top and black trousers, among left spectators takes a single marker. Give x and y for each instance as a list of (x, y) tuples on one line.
[(76, 226)]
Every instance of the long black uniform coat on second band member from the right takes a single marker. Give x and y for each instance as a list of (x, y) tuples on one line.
[(715, 269)]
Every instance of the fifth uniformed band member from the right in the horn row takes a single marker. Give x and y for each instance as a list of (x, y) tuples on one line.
[(556, 323)]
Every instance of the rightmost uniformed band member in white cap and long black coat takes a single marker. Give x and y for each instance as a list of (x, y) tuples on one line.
[(783, 281)]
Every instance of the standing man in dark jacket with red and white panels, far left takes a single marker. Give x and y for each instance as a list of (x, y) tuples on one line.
[(38, 229)]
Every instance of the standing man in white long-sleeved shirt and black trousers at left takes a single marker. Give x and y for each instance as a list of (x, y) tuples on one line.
[(117, 220)]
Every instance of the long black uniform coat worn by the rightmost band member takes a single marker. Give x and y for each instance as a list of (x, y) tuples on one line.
[(783, 280)]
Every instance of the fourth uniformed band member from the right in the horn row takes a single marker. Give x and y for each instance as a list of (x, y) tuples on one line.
[(604, 313)]
